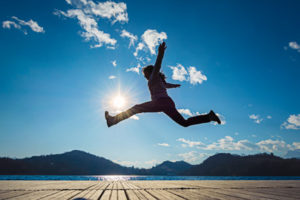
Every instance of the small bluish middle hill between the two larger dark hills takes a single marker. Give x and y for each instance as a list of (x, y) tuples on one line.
[(170, 168)]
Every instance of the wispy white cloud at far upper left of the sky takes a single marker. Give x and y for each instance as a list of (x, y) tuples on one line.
[(18, 24)]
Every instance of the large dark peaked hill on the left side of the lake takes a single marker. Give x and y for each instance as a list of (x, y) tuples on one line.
[(73, 162)]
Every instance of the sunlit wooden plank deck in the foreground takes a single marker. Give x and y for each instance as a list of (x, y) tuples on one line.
[(135, 190)]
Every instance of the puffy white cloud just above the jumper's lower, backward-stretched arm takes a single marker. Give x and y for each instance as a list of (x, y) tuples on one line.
[(192, 74)]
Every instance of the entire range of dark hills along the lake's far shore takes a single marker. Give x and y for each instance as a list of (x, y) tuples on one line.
[(82, 163)]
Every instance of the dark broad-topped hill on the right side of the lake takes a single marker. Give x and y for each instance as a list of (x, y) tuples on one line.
[(253, 165)]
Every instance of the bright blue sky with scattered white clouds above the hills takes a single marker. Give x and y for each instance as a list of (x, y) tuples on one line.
[(64, 62)]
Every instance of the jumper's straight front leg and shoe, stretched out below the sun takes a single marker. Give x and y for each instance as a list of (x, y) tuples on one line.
[(150, 106)]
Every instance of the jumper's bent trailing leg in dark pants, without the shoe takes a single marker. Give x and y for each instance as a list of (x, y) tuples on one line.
[(177, 117)]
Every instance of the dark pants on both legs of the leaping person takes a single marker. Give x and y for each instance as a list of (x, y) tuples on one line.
[(165, 105)]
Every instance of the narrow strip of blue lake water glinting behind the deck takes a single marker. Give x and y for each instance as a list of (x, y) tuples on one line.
[(121, 177)]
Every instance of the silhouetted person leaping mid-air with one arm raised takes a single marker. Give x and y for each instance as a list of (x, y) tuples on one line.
[(161, 102)]
